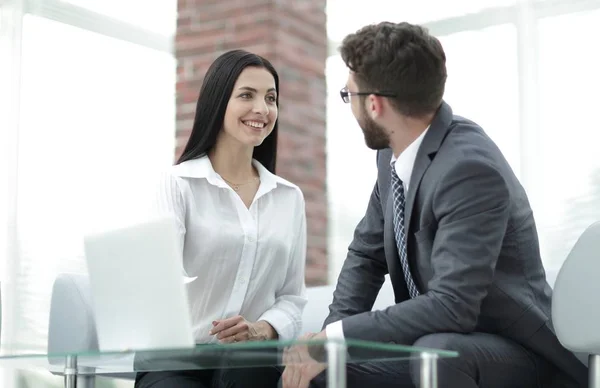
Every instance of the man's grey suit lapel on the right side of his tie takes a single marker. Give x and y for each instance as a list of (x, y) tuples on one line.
[(431, 143)]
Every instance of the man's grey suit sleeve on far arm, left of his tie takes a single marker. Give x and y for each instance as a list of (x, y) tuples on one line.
[(364, 269)]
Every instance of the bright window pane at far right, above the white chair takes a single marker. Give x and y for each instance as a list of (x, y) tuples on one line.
[(569, 81)]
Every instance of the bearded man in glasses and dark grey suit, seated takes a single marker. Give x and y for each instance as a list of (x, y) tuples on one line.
[(450, 223)]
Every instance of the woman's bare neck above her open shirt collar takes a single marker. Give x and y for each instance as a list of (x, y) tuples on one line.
[(232, 161)]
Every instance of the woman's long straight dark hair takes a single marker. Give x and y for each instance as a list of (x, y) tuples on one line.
[(212, 103)]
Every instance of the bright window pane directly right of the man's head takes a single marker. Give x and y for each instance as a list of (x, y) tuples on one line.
[(483, 84)]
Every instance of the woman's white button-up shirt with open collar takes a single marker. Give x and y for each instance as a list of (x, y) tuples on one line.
[(243, 261)]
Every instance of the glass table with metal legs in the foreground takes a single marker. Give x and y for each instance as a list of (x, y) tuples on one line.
[(336, 354)]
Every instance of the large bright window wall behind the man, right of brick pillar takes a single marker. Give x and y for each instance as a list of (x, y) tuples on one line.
[(551, 143)]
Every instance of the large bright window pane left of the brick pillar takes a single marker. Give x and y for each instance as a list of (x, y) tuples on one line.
[(96, 122)]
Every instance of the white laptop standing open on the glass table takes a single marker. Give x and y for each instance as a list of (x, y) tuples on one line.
[(138, 292)]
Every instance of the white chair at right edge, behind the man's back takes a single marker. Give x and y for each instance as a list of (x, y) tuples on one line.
[(575, 309)]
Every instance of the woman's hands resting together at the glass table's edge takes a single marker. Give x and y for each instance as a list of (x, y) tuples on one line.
[(238, 329)]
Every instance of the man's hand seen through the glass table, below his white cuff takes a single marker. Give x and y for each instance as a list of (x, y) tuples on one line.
[(300, 367)]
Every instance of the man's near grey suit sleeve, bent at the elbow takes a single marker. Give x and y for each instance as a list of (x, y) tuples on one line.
[(471, 207)]
